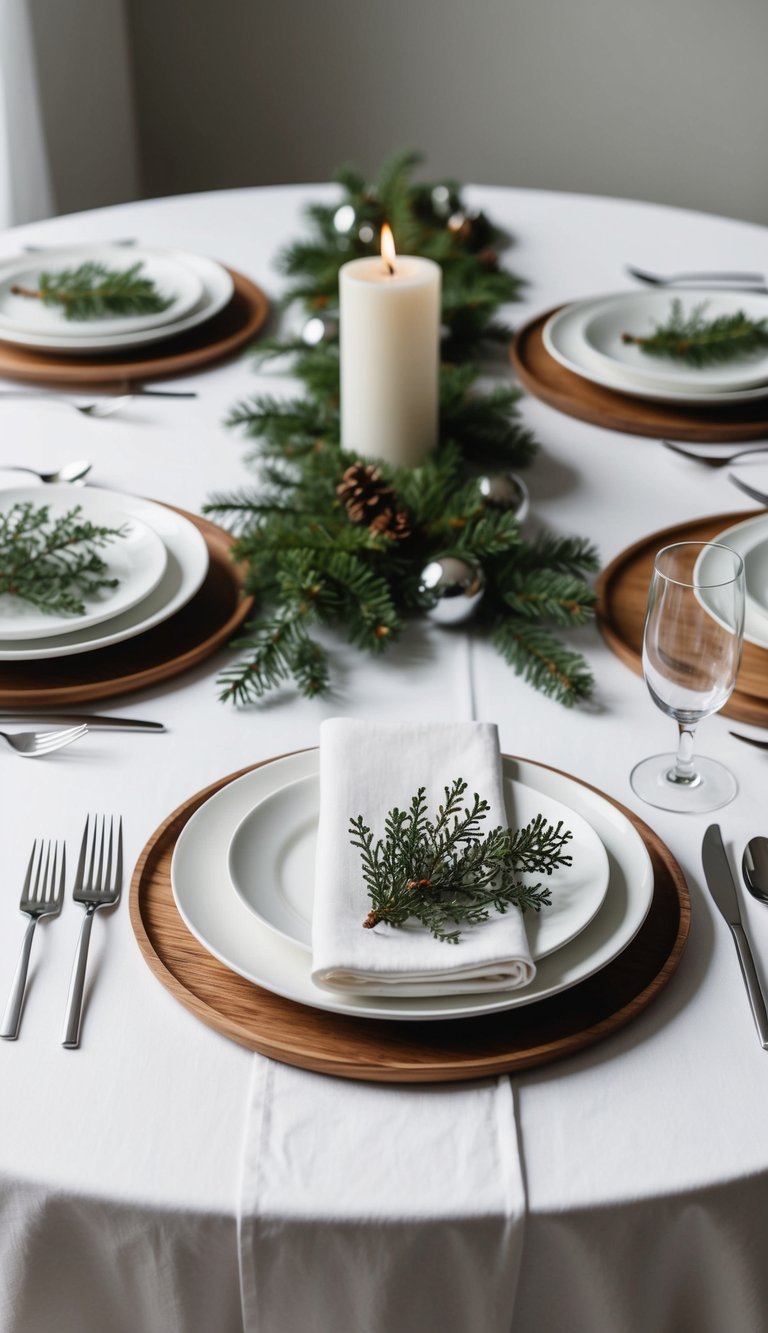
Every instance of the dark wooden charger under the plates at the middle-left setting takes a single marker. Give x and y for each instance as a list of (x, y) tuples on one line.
[(198, 630)]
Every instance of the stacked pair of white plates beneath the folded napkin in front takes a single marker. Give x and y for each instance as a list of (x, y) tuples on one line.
[(243, 883)]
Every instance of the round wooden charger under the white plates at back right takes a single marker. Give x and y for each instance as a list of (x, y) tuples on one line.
[(546, 379)]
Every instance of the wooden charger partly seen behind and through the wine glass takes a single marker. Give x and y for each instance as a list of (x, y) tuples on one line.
[(623, 597)]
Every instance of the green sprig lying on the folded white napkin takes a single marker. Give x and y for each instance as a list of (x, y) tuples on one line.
[(447, 871)]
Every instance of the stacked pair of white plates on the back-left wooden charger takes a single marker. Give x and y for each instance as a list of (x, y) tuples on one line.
[(197, 289)]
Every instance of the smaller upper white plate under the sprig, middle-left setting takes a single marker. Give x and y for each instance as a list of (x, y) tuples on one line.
[(137, 559)]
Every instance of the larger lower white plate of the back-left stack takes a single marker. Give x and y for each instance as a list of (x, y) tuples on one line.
[(218, 289)]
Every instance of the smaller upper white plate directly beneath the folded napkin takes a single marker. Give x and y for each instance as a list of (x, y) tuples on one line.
[(273, 866)]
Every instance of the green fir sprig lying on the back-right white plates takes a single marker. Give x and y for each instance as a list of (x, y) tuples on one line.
[(699, 342)]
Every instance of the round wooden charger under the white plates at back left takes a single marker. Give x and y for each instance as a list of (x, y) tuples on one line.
[(213, 341)]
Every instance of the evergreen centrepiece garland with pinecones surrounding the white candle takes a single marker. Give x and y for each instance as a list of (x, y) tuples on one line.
[(311, 555)]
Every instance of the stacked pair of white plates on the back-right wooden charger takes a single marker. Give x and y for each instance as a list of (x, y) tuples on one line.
[(587, 339)]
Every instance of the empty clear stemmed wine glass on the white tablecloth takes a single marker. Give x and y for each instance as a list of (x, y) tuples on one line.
[(691, 654)]
